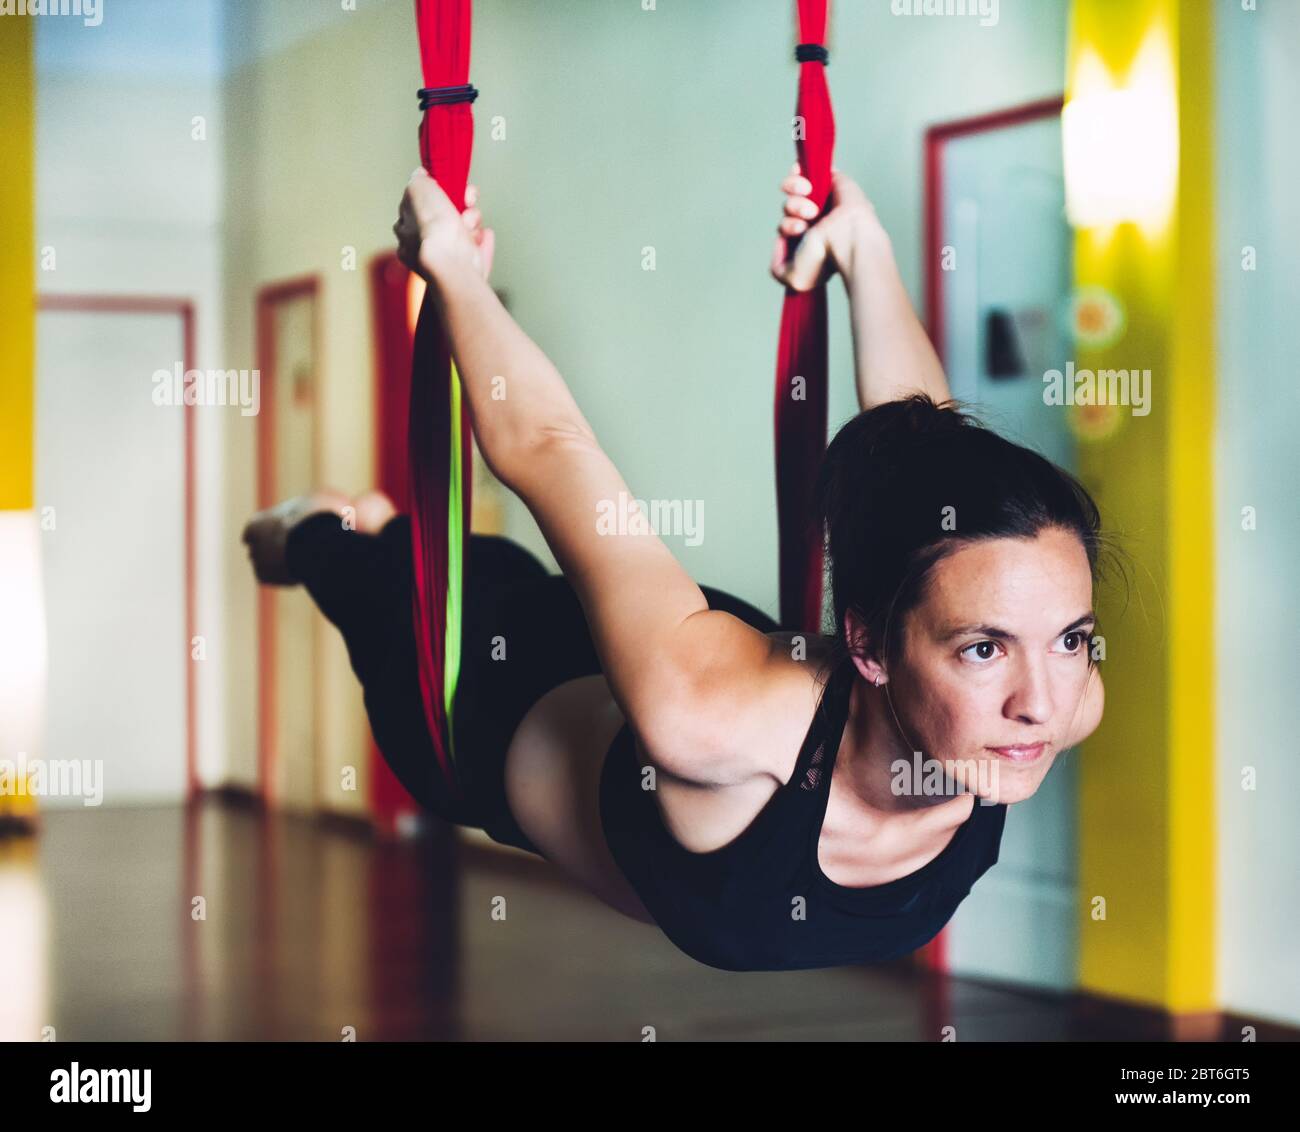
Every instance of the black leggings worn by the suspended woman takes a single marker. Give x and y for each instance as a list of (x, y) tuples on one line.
[(523, 634)]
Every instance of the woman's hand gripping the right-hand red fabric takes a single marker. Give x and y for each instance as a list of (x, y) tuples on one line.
[(826, 245)]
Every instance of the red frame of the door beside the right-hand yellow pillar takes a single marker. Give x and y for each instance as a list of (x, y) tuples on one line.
[(935, 953)]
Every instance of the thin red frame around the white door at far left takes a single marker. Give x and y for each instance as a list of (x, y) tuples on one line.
[(185, 311)]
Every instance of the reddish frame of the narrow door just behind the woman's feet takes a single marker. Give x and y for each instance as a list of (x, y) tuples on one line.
[(268, 298)]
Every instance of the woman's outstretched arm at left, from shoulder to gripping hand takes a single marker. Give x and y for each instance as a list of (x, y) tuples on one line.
[(661, 648)]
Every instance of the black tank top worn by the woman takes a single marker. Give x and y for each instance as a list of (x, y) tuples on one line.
[(761, 903)]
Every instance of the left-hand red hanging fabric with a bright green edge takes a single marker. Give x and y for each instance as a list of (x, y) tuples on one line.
[(440, 417)]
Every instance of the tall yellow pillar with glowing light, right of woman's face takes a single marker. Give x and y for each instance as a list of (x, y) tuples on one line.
[(1147, 813)]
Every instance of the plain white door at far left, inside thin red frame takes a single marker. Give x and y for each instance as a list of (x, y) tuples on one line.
[(111, 471)]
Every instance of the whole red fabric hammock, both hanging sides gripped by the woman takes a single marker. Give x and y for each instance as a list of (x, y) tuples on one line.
[(440, 441)]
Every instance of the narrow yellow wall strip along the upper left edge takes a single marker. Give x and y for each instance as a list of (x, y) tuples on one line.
[(18, 271)]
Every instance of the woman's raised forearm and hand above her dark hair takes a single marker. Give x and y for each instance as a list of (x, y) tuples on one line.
[(891, 350)]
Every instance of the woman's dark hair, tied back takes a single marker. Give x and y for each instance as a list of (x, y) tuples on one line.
[(907, 484)]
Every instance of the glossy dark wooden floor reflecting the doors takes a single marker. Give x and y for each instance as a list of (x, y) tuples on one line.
[(223, 923)]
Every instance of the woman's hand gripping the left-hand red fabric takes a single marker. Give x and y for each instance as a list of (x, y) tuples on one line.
[(435, 240)]
